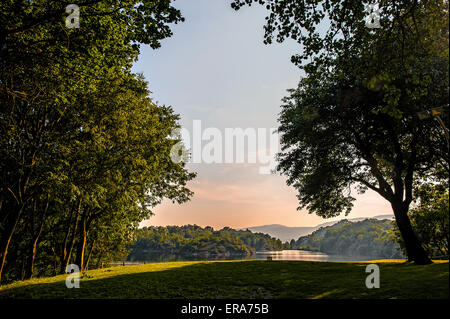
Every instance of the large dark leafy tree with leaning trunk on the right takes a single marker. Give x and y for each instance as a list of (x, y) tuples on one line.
[(352, 121)]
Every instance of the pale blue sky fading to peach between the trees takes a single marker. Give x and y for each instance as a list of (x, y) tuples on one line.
[(216, 69)]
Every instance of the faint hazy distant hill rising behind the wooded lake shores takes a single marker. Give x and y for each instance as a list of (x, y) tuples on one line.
[(287, 233)]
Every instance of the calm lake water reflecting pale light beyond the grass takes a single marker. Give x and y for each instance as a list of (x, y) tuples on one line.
[(260, 255)]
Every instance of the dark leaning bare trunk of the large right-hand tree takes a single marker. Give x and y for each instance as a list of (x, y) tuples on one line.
[(414, 249)]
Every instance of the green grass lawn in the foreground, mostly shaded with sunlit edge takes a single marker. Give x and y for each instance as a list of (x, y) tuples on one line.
[(244, 279)]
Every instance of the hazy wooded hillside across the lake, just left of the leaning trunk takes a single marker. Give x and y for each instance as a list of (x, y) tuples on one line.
[(370, 237)]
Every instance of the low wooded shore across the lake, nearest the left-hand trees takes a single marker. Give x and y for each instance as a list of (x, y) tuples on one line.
[(191, 240)]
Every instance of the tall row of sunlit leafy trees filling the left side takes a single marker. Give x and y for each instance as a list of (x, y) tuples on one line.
[(85, 153)]
